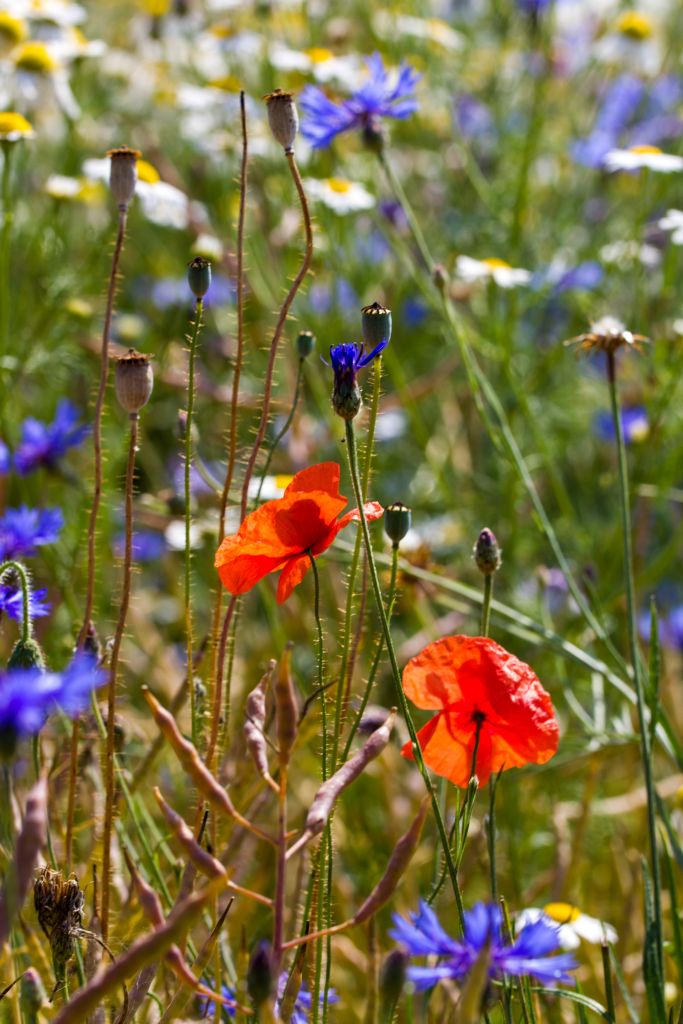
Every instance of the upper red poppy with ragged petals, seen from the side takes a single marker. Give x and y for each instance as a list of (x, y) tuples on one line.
[(281, 534)]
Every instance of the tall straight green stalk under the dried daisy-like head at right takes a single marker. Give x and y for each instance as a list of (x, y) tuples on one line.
[(625, 502)]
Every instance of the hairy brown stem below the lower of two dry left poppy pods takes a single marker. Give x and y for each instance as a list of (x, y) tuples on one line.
[(114, 668)]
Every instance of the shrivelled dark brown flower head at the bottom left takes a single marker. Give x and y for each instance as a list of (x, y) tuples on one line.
[(59, 905)]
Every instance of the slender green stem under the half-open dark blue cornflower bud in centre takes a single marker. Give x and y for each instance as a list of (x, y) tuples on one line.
[(417, 752)]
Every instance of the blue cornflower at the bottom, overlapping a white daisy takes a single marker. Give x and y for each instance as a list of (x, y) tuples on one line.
[(423, 936)]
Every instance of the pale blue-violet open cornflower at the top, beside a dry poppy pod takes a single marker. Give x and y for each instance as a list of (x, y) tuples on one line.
[(376, 99)]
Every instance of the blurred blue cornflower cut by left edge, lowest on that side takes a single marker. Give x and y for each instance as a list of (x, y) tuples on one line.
[(29, 696)]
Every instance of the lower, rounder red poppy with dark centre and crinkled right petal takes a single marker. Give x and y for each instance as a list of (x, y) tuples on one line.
[(476, 684)]
